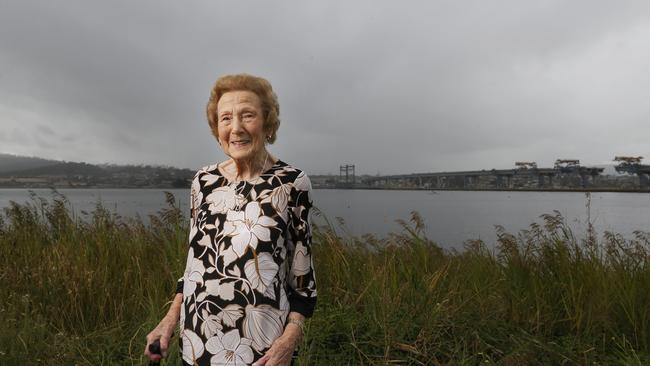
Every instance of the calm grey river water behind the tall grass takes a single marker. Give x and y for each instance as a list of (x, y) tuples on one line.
[(451, 217)]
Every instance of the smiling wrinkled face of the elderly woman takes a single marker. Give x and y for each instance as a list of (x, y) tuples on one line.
[(240, 123)]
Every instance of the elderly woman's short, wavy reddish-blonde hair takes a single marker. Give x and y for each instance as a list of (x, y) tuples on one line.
[(244, 82)]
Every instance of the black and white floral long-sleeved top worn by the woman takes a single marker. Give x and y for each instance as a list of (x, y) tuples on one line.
[(249, 264)]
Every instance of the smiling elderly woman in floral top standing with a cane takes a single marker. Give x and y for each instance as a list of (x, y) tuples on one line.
[(249, 281)]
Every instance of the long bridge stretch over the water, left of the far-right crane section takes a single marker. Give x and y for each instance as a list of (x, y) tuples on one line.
[(566, 173)]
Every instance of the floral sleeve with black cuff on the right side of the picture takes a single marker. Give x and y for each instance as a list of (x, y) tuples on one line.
[(301, 274)]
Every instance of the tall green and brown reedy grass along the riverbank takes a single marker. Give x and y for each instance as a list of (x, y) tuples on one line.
[(86, 292)]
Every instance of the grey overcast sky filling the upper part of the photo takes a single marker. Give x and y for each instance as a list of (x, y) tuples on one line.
[(391, 86)]
